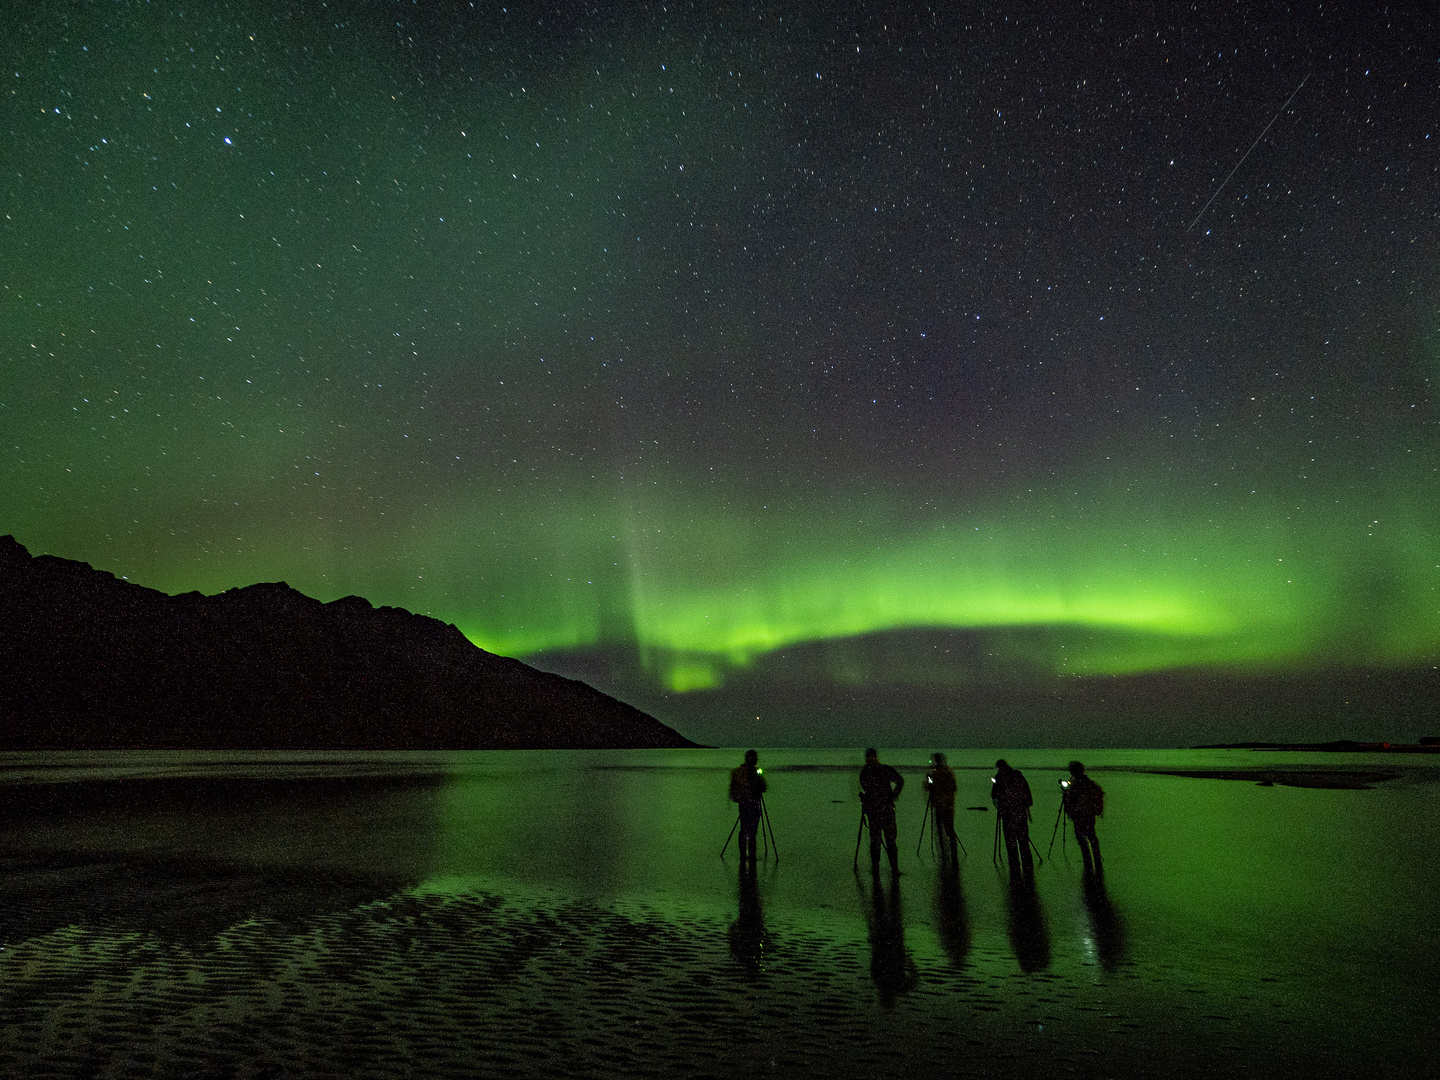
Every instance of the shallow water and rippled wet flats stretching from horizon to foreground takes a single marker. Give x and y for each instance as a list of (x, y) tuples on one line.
[(474, 914)]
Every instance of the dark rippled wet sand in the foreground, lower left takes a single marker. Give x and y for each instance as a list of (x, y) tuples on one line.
[(174, 971)]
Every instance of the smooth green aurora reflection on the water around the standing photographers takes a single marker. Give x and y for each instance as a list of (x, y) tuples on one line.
[(1241, 875)]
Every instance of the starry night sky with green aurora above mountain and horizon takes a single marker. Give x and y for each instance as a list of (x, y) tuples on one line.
[(745, 361)]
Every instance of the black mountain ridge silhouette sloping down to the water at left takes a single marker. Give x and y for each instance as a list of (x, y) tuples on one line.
[(89, 662)]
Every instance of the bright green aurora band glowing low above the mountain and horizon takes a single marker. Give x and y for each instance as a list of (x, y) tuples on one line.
[(1140, 580)]
